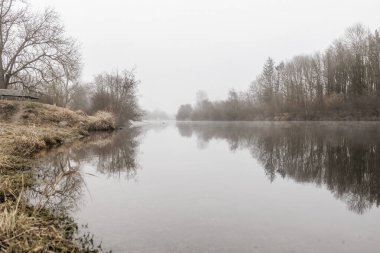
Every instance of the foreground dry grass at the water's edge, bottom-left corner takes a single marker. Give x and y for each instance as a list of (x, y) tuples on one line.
[(26, 228)]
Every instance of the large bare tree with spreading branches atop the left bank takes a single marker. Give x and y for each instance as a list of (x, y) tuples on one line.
[(34, 49)]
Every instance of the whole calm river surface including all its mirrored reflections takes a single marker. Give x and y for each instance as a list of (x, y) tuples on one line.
[(228, 187)]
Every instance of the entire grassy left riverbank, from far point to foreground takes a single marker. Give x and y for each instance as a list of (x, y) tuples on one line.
[(27, 128)]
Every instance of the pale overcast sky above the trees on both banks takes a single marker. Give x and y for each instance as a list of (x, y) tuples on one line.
[(181, 46)]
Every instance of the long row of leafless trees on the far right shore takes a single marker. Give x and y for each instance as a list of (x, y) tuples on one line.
[(341, 83)]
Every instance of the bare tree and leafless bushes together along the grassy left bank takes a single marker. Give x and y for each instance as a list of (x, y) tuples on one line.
[(37, 56)]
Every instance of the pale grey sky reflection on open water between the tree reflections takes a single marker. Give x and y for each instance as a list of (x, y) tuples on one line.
[(186, 199)]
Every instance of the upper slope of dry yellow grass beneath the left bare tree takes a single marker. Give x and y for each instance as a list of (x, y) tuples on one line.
[(29, 127)]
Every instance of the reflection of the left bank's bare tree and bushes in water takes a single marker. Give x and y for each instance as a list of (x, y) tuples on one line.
[(59, 173)]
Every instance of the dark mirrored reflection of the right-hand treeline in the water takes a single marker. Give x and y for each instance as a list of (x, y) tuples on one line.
[(344, 157)]
